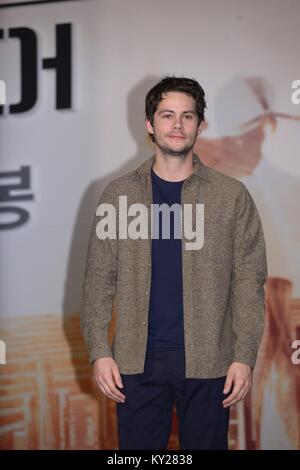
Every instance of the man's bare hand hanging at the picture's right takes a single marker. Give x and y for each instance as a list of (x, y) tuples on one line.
[(240, 376)]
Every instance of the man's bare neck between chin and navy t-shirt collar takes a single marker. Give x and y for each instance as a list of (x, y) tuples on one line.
[(173, 168)]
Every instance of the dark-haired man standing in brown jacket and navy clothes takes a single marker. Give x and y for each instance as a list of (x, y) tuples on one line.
[(188, 320)]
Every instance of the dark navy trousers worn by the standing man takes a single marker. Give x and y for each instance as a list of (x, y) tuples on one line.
[(145, 419)]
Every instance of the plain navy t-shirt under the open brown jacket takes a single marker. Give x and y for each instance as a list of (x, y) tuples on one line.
[(165, 319)]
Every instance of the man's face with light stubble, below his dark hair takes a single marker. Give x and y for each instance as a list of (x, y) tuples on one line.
[(175, 126)]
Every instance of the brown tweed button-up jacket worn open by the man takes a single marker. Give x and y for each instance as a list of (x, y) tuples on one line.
[(223, 282)]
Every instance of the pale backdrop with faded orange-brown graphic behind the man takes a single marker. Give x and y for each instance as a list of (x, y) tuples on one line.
[(76, 76)]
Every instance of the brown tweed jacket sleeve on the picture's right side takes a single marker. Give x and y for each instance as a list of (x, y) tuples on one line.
[(249, 274)]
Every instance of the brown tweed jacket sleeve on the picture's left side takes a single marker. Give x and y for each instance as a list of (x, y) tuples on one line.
[(98, 289)]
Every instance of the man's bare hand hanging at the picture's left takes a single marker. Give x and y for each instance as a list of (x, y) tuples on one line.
[(107, 377)]
